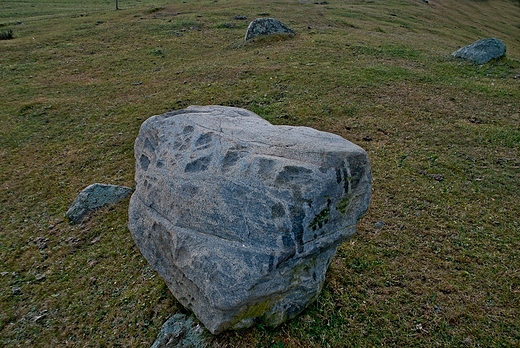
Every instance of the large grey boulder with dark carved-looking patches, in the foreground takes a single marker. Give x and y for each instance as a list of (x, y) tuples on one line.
[(242, 218)]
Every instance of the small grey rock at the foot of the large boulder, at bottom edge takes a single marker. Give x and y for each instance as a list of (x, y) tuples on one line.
[(180, 331)]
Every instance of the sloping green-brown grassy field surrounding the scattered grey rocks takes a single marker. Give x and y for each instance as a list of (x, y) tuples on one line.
[(436, 261)]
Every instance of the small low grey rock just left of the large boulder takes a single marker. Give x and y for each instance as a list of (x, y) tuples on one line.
[(94, 197)]
